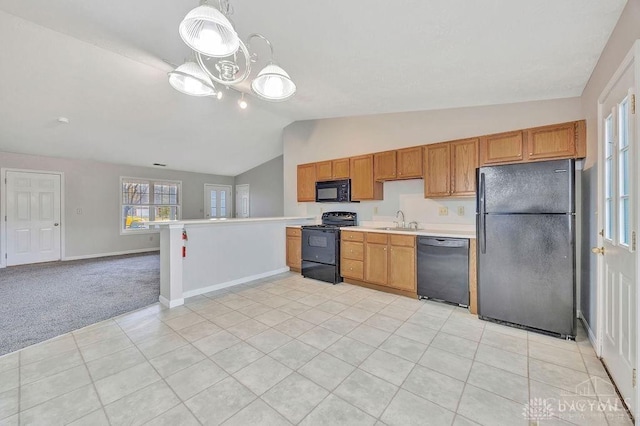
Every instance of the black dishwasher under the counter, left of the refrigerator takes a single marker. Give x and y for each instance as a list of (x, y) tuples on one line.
[(443, 269)]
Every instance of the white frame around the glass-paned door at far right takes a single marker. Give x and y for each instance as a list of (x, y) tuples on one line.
[(633, 56)]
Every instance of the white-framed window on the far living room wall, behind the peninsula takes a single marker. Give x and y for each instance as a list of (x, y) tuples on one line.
[(146, 200)]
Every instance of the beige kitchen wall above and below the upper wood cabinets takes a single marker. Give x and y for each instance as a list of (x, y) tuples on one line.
[(315, 140)]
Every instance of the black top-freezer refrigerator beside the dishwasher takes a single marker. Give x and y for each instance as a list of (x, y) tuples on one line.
[(526, 245)]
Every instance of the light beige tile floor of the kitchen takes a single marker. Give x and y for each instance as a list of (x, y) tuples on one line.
[(289, 350)]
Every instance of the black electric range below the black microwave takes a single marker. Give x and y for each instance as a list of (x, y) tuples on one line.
[(321, 246)]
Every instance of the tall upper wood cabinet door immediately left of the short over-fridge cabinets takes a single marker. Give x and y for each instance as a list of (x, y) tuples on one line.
[(464, 161)]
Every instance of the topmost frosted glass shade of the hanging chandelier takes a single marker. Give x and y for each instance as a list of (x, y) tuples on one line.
[(206, 30)]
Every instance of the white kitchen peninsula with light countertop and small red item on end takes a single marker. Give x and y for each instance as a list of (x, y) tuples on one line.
[(202, 255)]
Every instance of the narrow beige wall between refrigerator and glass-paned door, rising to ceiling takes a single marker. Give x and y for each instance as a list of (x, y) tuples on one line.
[(626, 32)]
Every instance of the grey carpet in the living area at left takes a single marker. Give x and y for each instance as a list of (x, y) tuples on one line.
[(41, 301)]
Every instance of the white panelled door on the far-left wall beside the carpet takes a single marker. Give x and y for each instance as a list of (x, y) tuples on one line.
[(33, 217)]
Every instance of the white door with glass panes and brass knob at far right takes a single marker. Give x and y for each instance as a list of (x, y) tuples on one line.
[(618, 265)]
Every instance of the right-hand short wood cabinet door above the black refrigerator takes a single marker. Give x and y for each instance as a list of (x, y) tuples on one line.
[(557, 141)]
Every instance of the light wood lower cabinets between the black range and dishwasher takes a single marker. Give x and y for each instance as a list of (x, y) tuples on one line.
[(382, 261)]
